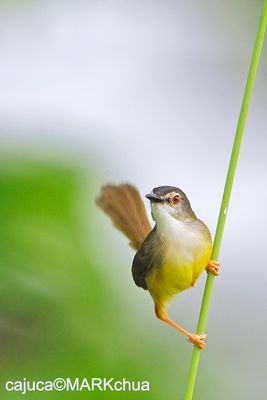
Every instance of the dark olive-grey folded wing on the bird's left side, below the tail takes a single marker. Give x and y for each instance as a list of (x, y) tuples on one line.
[(146, 258)]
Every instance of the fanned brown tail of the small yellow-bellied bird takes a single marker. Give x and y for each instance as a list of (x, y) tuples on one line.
[(123, 204)]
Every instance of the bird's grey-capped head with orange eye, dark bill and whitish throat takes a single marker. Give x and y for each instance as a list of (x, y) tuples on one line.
[(170, 201)]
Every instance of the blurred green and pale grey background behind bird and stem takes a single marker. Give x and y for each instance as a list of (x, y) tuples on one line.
[(141, 91)]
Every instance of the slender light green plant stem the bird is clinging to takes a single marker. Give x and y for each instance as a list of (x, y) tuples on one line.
[(226, 195)]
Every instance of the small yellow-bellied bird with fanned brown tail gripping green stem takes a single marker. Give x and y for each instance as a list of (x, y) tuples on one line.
[(169, 257)]
